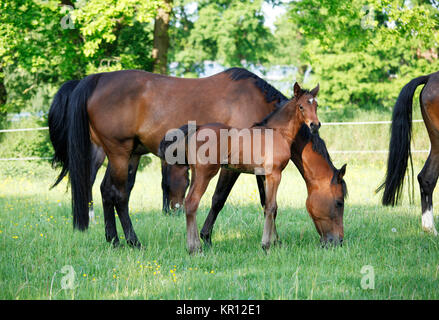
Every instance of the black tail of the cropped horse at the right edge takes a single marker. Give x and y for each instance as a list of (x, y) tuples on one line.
[(399, 147)]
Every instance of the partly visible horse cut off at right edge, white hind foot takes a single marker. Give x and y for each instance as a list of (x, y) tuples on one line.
[(399, 147)]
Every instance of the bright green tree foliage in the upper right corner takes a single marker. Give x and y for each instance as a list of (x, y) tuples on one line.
[(362, 53)]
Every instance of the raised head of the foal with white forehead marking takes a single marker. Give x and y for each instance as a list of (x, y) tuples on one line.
[(307, 106)]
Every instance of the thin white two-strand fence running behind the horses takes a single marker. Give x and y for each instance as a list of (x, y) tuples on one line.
[(323, 124)]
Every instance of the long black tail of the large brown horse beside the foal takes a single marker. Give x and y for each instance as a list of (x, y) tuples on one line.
[(79, 150)]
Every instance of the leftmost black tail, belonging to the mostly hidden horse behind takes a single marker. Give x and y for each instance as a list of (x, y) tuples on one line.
[(58, 128)]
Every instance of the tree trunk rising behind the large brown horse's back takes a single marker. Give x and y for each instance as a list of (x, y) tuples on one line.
[(161, 38)]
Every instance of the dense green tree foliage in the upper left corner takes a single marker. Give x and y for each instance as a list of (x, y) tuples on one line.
[(46, 42)]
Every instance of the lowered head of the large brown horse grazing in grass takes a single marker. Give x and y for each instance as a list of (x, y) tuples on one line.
[(325, 205)]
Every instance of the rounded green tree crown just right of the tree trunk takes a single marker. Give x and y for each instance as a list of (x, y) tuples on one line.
[(231, 33)]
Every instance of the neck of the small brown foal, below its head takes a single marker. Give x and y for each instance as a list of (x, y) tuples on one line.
[(286, 122)]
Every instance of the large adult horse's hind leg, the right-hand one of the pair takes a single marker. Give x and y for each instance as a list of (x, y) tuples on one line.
[(119, 180)]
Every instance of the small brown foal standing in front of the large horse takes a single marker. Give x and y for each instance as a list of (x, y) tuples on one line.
[(281, 126)]
